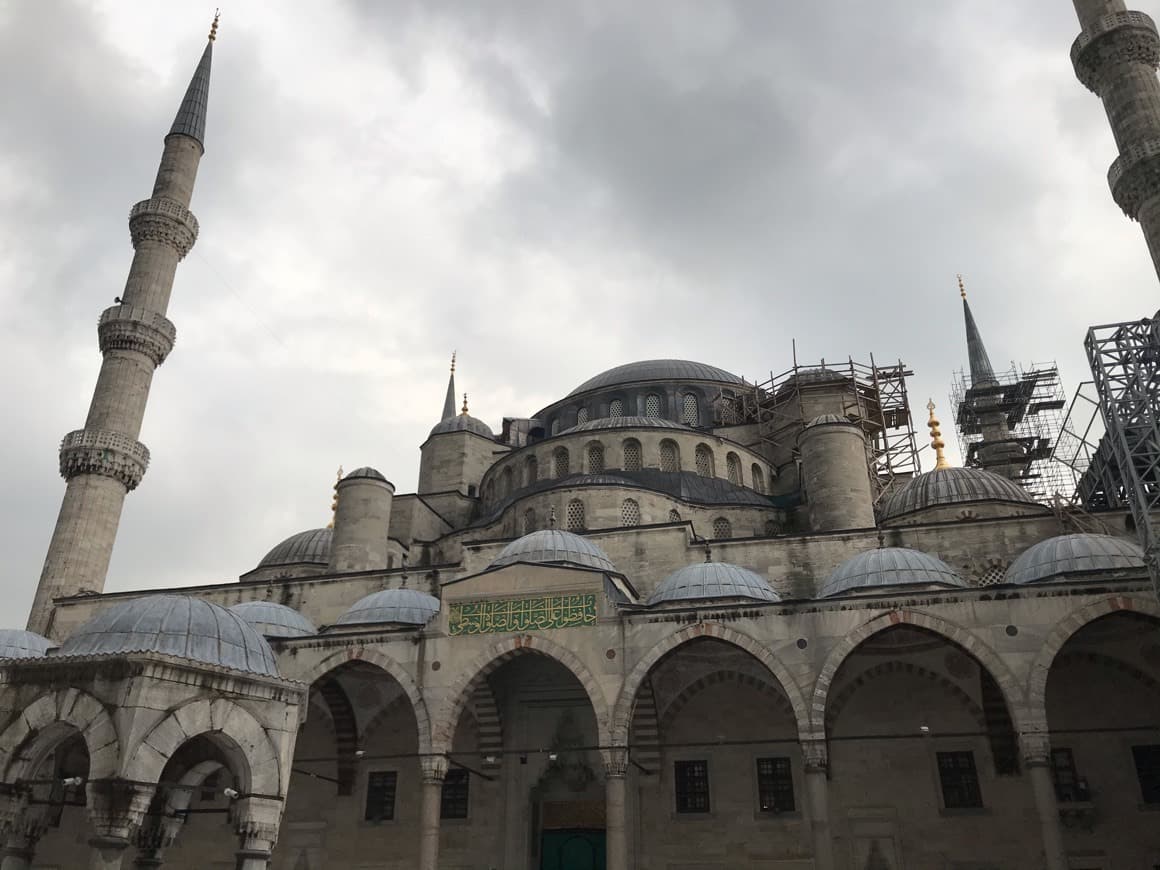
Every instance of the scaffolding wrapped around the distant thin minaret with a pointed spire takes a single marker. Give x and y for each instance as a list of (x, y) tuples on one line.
[(1033, 401)]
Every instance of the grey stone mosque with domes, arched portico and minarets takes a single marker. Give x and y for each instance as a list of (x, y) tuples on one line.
[(629, 630)]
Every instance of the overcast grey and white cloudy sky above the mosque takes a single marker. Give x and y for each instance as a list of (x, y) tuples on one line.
[(553, 188)]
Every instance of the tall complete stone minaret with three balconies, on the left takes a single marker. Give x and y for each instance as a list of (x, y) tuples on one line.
[(105, 461)]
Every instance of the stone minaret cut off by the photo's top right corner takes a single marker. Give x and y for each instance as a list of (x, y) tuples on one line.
[(1116, 57)]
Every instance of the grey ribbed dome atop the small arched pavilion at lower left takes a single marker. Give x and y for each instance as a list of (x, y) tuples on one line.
[(179, 626)]
